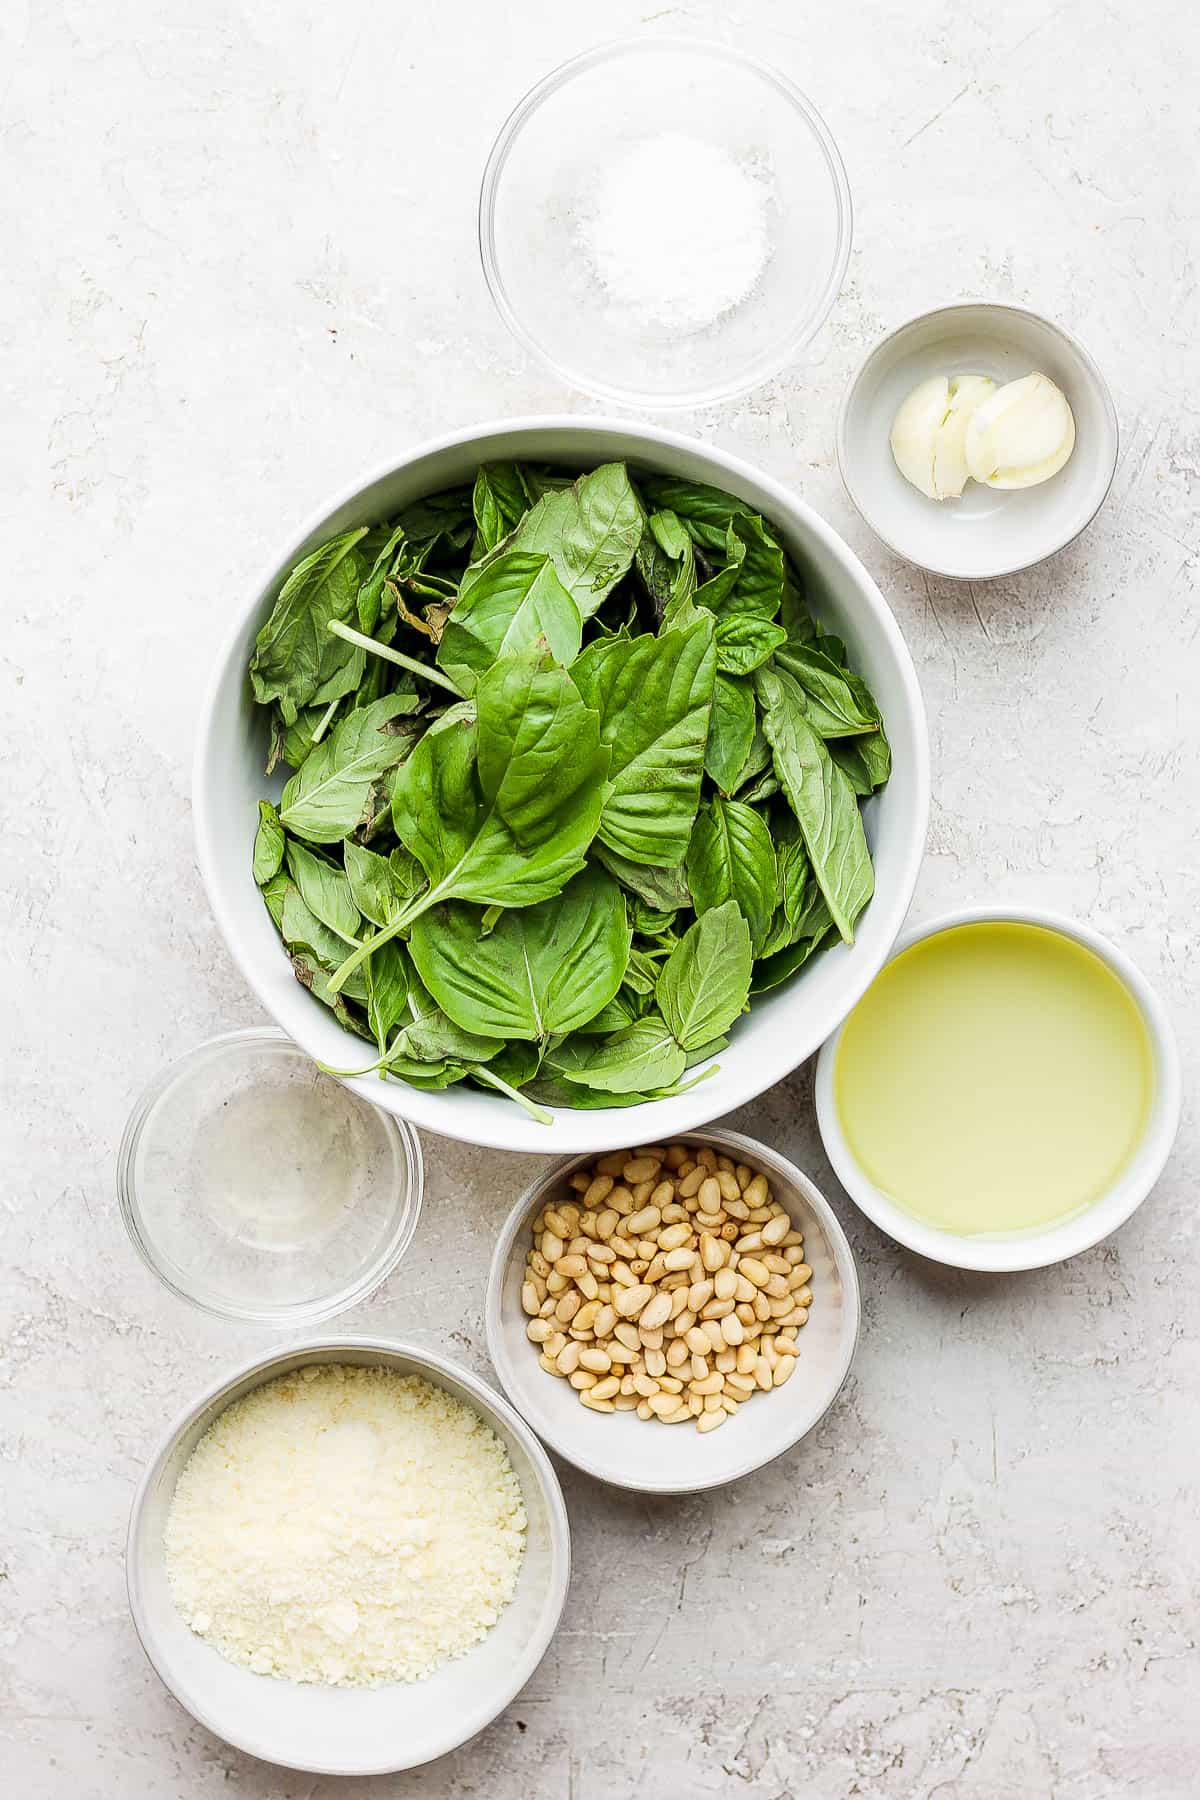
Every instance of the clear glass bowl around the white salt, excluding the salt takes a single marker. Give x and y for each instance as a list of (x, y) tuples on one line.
[(541, 188)]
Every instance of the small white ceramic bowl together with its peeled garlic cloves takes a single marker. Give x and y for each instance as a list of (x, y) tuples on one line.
[(978, 440)]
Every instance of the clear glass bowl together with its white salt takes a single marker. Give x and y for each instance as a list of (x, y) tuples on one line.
[(665, 222)]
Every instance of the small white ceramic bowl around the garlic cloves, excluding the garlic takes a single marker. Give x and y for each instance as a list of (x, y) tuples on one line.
[(989, 532)]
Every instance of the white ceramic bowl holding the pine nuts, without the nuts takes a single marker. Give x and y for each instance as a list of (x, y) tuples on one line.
[(654, 1459)]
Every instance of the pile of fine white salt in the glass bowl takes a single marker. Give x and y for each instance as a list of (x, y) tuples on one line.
[(677, 231)]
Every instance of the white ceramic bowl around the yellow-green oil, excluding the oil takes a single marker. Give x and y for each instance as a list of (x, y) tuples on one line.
[(1039, 1248)]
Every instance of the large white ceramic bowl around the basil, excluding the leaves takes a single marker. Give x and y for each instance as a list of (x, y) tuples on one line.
[(782, 1029)]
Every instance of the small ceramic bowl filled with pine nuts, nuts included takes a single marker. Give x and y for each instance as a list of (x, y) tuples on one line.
[(701, 1284)]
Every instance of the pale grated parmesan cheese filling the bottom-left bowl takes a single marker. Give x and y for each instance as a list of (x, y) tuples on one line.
[(346, 1525)]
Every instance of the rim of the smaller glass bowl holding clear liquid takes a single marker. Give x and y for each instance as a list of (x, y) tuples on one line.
[(399, 1131)]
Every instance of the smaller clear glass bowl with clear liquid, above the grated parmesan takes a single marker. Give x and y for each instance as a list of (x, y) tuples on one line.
[(264, 1191)]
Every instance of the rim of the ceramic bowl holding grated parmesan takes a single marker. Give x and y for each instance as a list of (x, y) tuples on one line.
[(265, 1367)]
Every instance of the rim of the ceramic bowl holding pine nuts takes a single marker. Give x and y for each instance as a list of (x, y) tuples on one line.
[(755, 1153)]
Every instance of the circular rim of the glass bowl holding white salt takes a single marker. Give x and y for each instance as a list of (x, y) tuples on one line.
[(784, 350)]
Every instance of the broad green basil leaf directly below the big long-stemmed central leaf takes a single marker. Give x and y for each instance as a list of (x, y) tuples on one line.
[(542, 969)]
